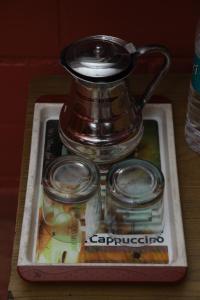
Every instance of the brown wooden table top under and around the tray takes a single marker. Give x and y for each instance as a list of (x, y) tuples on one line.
[(175, 88)]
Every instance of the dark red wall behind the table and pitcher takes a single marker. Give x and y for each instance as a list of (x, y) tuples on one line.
[(32, 33)]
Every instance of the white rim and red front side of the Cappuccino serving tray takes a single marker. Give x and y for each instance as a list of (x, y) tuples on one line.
[(172, 236)]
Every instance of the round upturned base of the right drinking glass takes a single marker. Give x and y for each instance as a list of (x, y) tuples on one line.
[(135, 183)]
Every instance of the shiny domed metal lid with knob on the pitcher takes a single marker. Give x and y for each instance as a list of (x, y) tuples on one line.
[(99, 58)]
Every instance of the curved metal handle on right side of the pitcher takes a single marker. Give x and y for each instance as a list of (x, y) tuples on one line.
[(163, 69)]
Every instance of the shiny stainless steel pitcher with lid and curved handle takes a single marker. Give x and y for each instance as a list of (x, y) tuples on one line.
[(101, 119)]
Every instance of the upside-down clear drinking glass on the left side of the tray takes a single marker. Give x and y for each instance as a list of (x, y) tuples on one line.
[(71, 204)]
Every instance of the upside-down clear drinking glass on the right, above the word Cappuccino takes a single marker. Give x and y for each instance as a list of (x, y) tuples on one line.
[(134, 199)]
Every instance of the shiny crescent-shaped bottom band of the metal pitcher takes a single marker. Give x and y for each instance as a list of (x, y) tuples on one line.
[(103, 154)]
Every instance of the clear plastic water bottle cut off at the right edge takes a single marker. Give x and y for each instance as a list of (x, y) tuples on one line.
[(192, 127)]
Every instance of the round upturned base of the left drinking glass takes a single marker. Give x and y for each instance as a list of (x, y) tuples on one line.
[(71, 179)]
